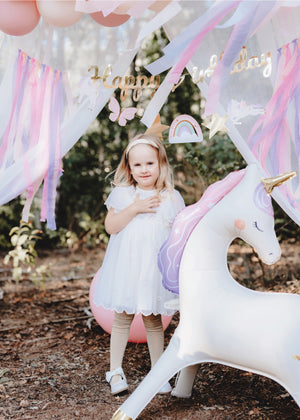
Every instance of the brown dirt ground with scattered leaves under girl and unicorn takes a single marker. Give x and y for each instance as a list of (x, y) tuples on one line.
[(54, 355)]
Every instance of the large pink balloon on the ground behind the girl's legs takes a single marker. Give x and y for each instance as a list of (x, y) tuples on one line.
[(105, 318)]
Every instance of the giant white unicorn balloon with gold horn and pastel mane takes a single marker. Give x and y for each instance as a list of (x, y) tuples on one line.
[(220, 320)]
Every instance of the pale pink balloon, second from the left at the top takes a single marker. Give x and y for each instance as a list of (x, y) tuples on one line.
[(59, 13)]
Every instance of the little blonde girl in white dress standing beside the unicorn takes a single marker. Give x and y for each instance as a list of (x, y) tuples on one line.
[(141, 209)]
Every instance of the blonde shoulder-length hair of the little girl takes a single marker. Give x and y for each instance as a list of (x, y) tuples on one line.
[(123, 175)]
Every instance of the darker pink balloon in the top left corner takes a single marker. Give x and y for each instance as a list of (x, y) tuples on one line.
[(18, 17)]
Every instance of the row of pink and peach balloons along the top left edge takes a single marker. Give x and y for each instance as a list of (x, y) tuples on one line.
[(19, 17)]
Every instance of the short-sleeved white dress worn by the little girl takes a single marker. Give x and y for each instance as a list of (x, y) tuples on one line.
[(129, 279)]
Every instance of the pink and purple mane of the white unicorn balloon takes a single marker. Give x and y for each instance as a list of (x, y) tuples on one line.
[(171, 251)]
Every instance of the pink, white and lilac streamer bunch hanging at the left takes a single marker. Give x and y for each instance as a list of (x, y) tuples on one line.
[(35, 120)]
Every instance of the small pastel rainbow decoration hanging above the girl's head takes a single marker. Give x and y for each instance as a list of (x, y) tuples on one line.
[(185, 129)]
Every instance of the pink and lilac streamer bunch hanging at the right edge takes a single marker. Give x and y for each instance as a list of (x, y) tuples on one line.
[(272, 139)]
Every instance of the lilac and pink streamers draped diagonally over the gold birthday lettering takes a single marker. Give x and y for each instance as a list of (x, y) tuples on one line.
[(246, 19)]
